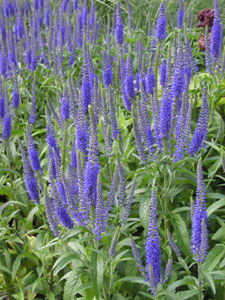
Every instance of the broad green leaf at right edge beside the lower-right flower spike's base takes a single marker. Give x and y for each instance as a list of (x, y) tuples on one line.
[(214, 257)]
